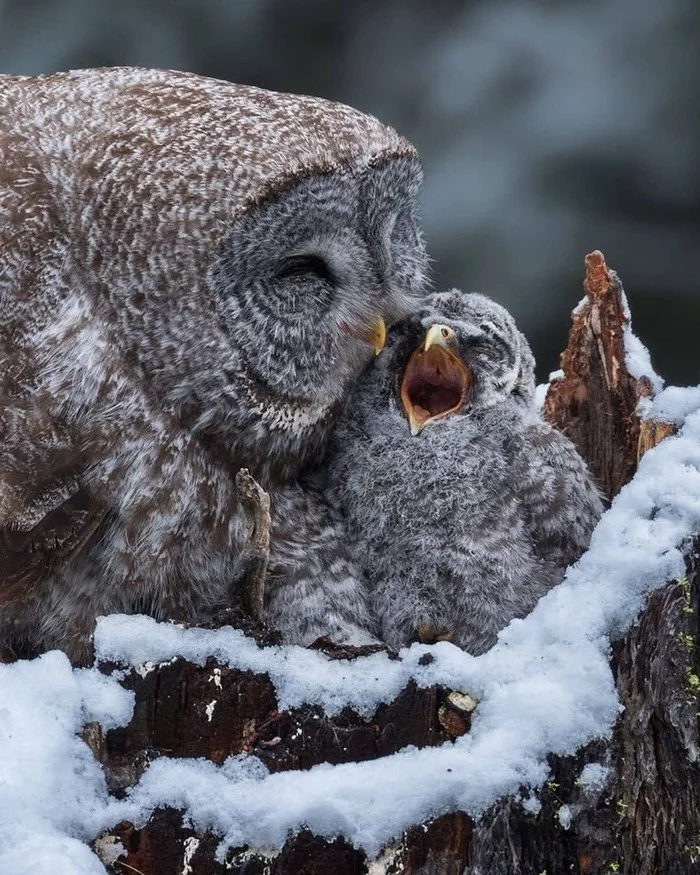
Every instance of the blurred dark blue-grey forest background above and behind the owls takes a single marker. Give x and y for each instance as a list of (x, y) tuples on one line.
[(547, 127)]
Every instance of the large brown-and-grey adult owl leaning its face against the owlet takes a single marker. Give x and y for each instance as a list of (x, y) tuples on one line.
[(192, 275)]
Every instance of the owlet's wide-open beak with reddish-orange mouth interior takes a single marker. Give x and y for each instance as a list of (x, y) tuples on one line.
[(436, 381)]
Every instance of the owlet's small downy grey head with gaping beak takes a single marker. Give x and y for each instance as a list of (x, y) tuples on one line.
[(466, 355)]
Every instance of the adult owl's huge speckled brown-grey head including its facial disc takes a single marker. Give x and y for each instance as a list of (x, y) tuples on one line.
[(237, 251)]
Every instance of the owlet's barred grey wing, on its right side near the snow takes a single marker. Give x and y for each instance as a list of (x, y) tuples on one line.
[(561, 502)]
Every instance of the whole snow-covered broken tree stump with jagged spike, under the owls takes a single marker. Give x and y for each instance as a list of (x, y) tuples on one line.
[(201, 751)]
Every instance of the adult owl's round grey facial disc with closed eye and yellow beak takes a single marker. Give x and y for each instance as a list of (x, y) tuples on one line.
[(308, 282)]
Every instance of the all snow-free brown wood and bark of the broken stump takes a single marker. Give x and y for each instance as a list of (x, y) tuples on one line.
[(642, 820)]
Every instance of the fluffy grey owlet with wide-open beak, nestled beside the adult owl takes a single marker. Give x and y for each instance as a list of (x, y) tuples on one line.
[(463, 506)]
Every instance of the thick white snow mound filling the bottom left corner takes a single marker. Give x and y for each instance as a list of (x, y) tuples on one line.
[(52, 789)]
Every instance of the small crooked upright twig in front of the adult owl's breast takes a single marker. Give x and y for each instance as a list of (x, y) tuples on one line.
[(256, 553)]
